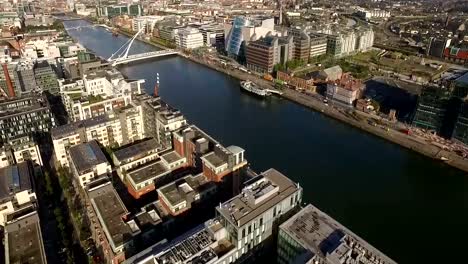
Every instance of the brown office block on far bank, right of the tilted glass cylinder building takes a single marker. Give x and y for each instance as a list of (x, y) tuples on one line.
[(263, 54)]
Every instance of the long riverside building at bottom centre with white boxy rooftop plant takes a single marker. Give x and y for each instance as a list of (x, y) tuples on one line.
[(242, 226)]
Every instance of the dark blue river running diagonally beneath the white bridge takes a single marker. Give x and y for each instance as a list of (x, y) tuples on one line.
[(408, 206)]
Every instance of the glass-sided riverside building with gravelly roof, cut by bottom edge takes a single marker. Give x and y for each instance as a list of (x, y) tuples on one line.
[(311, 236)]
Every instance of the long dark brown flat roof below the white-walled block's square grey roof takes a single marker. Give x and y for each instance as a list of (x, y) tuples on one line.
[(111, 211)]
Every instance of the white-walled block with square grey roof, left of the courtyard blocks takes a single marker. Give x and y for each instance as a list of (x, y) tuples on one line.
[(88, 163)]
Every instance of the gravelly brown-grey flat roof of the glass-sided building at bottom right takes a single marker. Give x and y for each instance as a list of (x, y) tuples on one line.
[(323, 236)]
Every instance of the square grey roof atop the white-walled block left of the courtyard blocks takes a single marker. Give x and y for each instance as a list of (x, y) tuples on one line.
[(87, 155)]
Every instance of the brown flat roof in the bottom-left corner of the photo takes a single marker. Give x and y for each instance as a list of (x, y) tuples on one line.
[(24, 240)]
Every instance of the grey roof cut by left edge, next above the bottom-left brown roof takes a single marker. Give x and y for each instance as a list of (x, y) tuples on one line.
[(14, 179)]
